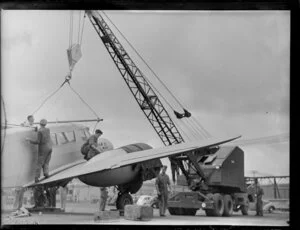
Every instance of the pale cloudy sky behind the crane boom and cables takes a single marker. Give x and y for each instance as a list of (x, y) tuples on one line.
[(230, 70)]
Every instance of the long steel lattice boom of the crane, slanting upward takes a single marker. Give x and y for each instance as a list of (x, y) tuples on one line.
[(139, 87)]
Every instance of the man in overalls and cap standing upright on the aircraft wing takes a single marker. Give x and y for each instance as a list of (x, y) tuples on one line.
[(44, 143)]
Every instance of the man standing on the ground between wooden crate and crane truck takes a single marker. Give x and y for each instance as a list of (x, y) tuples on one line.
[(162, 185)]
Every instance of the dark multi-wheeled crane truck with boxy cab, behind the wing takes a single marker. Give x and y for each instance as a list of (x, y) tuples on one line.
[(219, 187)]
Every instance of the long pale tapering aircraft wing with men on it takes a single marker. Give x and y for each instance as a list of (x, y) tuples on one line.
[(119, 159)]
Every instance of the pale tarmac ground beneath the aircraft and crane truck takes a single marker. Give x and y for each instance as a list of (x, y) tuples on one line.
[(83, 213)]
